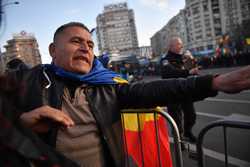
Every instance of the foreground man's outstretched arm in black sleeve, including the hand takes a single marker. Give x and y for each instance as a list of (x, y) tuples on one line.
[(162, 92)]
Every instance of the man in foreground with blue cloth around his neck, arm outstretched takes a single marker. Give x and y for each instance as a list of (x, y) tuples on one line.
[(67, 113)]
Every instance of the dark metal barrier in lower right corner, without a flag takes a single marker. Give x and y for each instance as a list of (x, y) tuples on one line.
[(229, 122)]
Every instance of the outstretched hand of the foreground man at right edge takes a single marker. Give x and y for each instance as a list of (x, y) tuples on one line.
[(233, 82)]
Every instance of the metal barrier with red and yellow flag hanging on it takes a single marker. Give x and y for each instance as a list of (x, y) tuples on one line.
[(177, 157)]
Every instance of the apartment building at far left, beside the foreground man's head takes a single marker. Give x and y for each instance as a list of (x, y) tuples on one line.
[(23, 46)]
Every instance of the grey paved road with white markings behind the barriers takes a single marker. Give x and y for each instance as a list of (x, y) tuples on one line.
[(220, 107)]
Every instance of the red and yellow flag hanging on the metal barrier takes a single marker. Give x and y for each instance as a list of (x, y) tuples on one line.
[(146, 139)]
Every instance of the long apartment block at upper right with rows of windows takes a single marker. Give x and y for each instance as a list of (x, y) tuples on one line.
[(202, 23)]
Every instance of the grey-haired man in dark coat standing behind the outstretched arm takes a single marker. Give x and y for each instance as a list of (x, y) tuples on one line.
[(172, 66)]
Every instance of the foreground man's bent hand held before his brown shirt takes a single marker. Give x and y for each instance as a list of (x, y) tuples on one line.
[(40, 119)]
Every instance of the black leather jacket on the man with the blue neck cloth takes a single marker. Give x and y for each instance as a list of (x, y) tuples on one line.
[(106, 101)]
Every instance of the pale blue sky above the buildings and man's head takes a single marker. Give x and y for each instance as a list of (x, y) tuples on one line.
[(43, 17)]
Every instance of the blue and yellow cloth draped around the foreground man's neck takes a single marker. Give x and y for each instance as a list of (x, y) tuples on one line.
[(98, 74)]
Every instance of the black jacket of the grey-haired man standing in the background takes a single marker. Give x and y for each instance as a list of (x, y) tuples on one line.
[(172, 66)]
